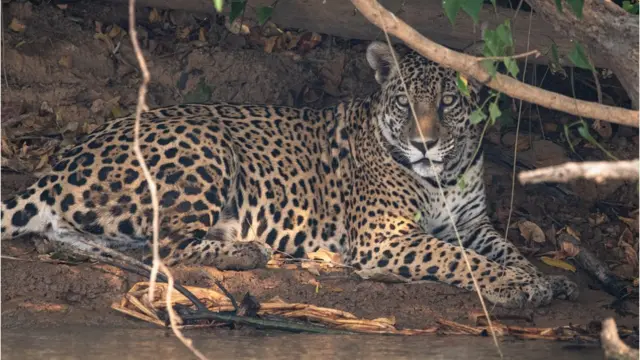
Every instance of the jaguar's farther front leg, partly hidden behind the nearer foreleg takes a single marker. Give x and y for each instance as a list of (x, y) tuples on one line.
[(485, 240)]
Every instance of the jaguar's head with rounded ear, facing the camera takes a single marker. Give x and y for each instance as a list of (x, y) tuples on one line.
[(441, 131)]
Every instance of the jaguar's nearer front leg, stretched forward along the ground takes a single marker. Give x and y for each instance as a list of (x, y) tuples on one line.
[(418, 256)]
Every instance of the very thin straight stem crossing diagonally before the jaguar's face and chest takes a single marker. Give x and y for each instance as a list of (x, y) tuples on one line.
[(446, 204)]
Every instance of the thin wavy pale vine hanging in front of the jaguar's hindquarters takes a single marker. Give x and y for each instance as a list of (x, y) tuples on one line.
[(157, 262)]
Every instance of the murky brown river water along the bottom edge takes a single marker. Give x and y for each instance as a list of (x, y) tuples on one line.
[(157, 344)]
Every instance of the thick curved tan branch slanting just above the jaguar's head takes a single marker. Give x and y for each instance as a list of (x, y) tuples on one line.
[(471, 66)]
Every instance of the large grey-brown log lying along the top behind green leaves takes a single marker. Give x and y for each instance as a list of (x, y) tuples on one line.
[(340, 18)]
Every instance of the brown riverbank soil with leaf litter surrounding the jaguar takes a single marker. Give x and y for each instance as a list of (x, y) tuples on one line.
[(60, 79)]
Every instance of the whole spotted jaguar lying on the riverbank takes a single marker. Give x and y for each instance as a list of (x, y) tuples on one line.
[(377, 180)]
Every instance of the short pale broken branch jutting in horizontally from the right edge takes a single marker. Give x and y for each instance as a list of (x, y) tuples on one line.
[(598, 171)]
